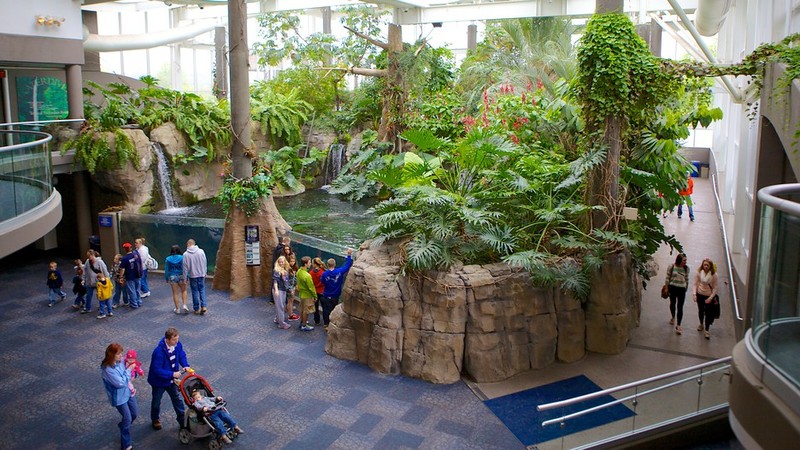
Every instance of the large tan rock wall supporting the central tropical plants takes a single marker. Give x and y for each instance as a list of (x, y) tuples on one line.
[(488, 322)]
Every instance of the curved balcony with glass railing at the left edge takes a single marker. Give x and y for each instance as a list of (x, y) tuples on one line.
[(29, 206)]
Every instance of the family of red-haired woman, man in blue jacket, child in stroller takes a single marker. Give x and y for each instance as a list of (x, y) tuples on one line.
[(168, 364)]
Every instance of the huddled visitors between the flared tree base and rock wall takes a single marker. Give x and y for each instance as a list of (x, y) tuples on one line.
[(310, 282)]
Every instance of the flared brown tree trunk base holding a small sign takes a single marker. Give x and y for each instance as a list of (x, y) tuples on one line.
[(232, 272)]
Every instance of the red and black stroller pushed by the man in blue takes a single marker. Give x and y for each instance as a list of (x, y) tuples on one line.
[(196, 424)]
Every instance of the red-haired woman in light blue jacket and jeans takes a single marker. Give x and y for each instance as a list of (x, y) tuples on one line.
[(116, 379)]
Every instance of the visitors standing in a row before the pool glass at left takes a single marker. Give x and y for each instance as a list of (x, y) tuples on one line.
[(126, 283)]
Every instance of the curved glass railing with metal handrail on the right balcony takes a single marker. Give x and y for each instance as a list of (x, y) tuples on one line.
[(775, 332)]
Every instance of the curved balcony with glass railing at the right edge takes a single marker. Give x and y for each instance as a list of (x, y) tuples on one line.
[(766, 366)]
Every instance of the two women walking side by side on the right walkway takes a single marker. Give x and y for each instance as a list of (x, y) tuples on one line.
[(704, 293)]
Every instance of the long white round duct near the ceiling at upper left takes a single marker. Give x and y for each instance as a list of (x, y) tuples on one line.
[(101, 43)]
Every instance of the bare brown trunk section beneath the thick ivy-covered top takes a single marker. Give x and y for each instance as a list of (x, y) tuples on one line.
[(604, 180)]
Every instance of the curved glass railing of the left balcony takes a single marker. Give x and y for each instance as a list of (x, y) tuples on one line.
[(25, 175)]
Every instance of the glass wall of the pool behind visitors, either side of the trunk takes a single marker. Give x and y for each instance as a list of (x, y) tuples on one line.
[(163, 231)]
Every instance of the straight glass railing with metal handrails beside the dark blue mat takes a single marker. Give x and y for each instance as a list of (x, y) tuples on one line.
[(637, 408)]
